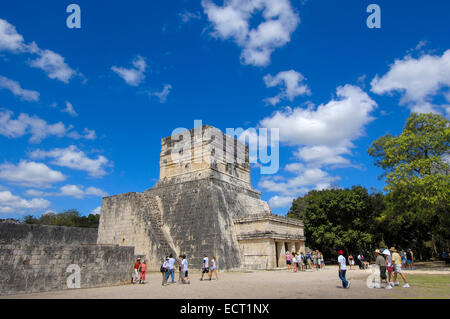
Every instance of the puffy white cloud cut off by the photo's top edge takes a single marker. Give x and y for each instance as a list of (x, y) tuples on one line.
[(232, 21)]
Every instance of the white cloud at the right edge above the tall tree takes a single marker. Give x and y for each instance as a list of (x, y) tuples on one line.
[(418, 81)]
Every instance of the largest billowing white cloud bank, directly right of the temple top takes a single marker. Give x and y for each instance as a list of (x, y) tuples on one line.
[(322, 135)]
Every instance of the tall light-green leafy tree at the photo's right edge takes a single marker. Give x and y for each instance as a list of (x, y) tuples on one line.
[(416, 168)]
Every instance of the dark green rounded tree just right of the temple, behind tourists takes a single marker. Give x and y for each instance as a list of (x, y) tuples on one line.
[(339, 219)]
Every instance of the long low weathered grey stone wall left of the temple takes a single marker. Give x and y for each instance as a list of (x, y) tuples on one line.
[(34, 258)]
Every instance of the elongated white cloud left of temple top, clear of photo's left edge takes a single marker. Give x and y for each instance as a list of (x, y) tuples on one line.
[(73, 158)]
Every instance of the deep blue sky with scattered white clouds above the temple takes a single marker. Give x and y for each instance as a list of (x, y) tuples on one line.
[(82, 111)]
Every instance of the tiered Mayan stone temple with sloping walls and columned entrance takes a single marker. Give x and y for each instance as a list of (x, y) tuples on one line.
[(203, 203)]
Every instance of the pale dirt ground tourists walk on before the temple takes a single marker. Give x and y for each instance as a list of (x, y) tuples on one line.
[(267, 284)]
